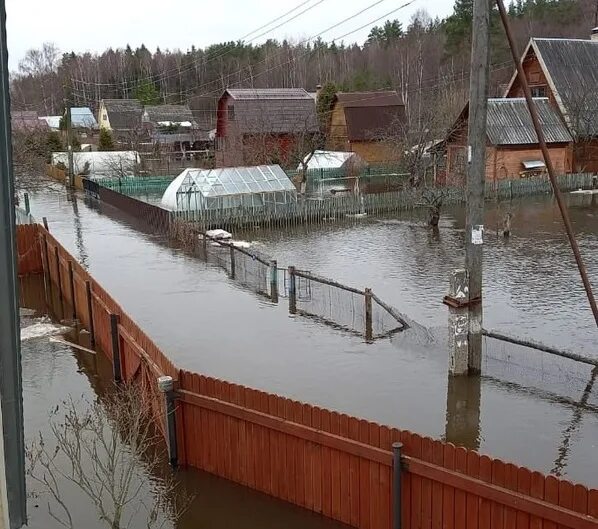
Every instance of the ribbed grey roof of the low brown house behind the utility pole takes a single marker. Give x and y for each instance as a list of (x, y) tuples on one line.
[(510, 123)]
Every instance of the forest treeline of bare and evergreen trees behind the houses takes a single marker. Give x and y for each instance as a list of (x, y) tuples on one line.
[(426, 61)]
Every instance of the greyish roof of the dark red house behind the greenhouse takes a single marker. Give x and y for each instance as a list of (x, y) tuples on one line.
[(273, 110)]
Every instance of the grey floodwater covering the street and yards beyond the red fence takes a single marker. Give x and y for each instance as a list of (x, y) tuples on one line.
[(527, 407)]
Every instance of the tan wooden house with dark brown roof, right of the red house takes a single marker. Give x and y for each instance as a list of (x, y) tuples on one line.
[(368, 123)]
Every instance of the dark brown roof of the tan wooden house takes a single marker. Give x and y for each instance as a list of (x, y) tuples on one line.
[(370, 115)]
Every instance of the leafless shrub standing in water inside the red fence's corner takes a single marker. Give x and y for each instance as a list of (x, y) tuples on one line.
[(105, 449)]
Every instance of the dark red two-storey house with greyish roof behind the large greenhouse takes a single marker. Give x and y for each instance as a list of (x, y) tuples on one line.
[(265, 125)]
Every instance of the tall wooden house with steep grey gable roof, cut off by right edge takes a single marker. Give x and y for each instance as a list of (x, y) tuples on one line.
[(566, 72)]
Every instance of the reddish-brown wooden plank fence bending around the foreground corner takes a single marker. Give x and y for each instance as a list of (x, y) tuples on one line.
[(330, 463)]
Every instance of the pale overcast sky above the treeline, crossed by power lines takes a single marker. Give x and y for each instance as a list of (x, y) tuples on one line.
[(95, 26)]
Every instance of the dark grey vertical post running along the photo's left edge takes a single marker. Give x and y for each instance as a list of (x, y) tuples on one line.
[(12, 447)]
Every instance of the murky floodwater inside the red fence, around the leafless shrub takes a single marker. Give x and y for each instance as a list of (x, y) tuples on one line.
[(54, 372)]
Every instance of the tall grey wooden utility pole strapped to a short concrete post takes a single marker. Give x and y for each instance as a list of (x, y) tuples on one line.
[(476, 177)]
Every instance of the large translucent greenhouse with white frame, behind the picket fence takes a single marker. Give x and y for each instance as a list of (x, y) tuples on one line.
[(230, 188)]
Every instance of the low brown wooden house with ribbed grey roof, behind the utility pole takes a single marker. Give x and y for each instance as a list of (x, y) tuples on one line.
[(512, 144)]
